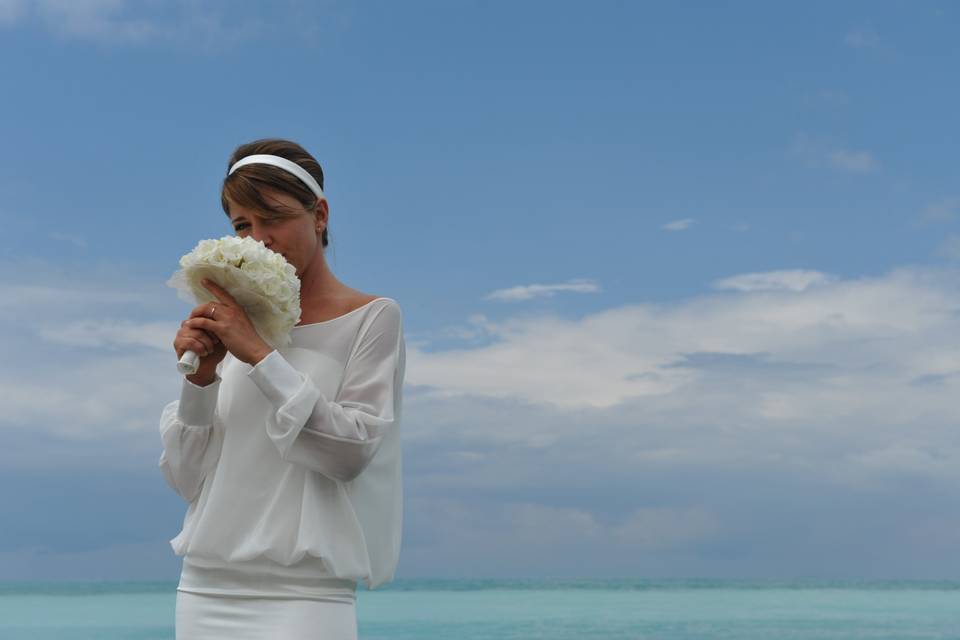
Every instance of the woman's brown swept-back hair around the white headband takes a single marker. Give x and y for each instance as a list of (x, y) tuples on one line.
[(243, 185)]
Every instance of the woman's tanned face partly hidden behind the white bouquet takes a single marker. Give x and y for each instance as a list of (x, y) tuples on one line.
[(296, 238)]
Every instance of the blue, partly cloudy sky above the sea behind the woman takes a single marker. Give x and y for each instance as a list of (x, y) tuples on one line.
[(680, 281)]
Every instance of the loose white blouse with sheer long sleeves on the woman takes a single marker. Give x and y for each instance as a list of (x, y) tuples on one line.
[(294, 465)]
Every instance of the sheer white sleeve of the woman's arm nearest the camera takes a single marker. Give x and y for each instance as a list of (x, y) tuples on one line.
[(338, 437)]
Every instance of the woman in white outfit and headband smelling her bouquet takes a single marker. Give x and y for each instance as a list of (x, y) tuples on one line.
[(288, 459)]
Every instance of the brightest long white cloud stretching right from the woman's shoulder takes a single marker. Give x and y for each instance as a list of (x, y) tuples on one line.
[(636, 351)]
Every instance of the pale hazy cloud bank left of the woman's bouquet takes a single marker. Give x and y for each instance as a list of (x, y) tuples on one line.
[(78, 363)]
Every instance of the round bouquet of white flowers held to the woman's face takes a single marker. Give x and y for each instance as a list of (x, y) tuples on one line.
[(261, 280)]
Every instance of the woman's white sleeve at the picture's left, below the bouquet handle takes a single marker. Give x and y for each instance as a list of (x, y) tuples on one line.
[(191, 438)]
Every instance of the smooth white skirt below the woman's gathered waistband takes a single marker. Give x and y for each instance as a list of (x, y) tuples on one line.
[(218, 617)]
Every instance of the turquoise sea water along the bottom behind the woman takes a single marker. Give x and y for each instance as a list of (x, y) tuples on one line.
[(510, 609)]
